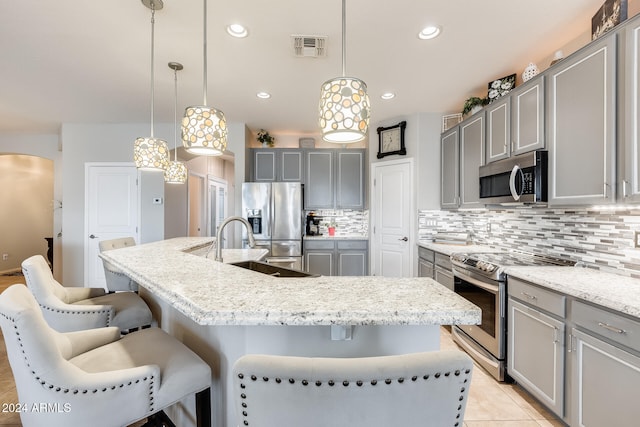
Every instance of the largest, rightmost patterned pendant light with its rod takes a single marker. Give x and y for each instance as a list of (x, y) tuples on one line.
[(344, 103)]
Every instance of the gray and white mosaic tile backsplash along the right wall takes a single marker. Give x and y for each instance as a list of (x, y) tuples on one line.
[(600, 238)]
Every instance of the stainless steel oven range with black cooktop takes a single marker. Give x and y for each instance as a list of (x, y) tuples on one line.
[(480, 278)]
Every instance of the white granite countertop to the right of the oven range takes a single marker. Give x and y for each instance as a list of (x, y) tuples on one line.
[(612, 291)]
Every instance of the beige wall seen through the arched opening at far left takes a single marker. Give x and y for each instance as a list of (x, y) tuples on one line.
[(26, 208)]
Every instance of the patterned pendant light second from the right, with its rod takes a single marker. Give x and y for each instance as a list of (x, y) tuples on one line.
[(204, 129)]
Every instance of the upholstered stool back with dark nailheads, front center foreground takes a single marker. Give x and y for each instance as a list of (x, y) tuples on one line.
[(417, 389)]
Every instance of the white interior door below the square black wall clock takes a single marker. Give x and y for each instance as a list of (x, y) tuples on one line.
[(393, 218)]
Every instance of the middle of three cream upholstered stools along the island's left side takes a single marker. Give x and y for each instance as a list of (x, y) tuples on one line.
[(72, 309)]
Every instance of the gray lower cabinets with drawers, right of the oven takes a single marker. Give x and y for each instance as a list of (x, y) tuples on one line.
[(580, 360)]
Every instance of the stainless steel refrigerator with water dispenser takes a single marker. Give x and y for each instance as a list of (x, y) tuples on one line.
[(274, 211)]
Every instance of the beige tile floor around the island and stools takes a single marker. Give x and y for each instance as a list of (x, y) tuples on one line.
[(491, 404)]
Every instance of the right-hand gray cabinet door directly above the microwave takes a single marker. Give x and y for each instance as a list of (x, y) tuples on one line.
[(527, 117)]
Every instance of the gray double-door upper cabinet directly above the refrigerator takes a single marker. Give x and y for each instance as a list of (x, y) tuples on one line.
[(277, 165)]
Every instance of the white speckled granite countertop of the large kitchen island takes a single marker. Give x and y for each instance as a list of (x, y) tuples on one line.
[(213, 293)]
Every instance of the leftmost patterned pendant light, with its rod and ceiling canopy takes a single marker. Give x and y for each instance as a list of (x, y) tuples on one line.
[(151, 153)]
